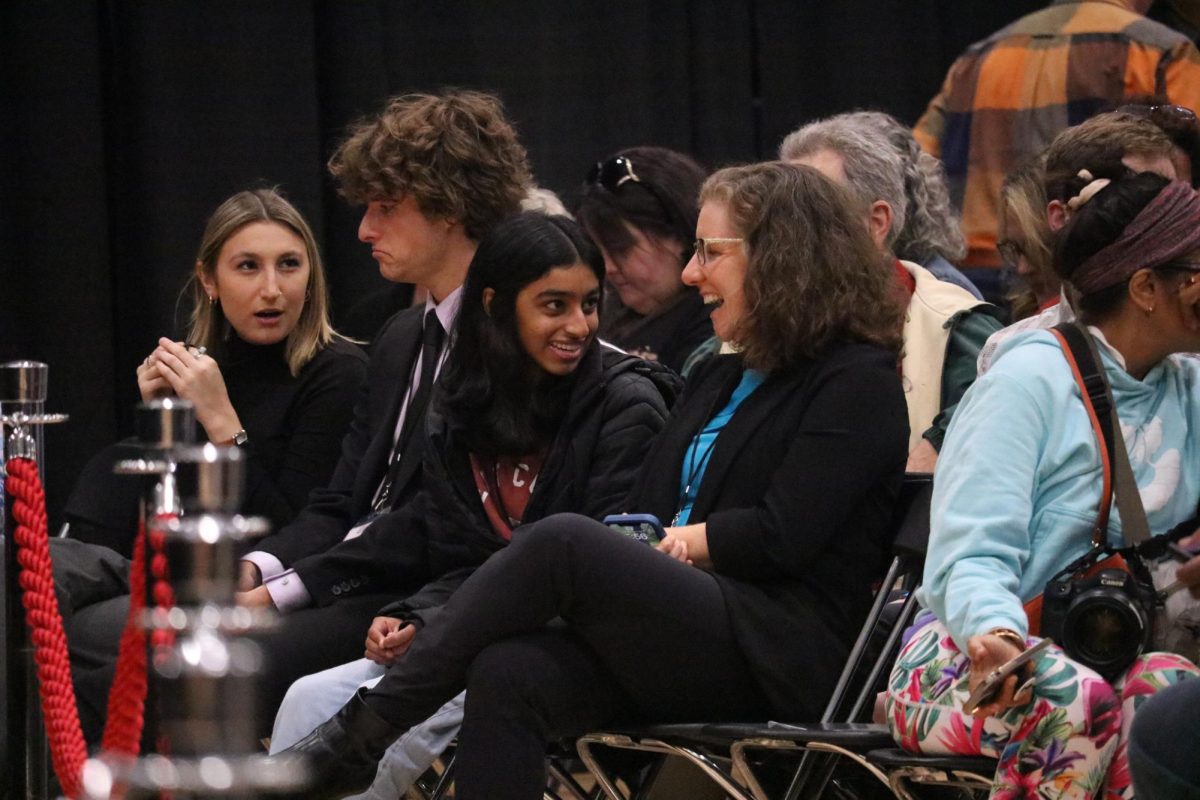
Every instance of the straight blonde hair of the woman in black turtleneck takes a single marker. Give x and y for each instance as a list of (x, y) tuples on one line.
[(209, 328)]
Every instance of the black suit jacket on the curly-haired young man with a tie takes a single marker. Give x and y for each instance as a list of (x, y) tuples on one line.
[(334, 510)]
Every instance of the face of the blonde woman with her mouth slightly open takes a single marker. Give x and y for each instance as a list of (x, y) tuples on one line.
[(261, 280)]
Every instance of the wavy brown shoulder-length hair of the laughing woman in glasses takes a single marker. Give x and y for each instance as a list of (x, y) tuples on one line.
[(814, 276)]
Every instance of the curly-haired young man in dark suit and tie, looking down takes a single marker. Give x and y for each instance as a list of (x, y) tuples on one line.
[(435, 173)]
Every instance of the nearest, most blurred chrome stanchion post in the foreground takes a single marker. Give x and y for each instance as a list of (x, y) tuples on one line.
[(207, 677)]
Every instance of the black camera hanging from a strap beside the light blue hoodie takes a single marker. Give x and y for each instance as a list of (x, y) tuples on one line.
[(1103, 621)]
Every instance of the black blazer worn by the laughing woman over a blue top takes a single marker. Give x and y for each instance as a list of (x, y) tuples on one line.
[(797, 500)]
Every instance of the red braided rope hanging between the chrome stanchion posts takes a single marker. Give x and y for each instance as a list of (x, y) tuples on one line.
[(127, 700)]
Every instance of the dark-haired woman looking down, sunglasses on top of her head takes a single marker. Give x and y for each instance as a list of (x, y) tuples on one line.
[(640, 206)]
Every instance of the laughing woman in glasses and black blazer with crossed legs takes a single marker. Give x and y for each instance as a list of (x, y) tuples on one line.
[(777, 474)]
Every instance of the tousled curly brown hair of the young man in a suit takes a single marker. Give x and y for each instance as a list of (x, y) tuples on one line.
[(454, 153)]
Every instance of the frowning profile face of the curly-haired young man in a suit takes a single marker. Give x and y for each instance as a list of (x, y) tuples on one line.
[(410, 246)]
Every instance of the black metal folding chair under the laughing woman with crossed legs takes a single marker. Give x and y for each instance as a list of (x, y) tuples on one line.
[(729, 754)]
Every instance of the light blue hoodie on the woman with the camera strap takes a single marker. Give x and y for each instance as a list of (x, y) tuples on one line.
[(1018, 484)]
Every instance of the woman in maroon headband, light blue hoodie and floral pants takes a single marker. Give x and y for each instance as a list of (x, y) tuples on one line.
[(1017, 494)]
